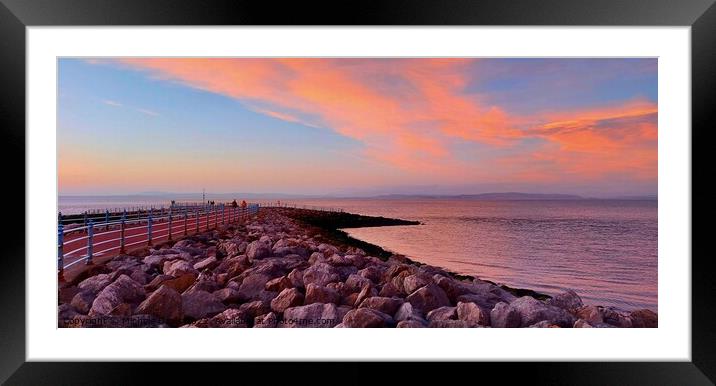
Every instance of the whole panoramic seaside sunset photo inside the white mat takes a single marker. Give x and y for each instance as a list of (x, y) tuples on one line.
[(357, 192)]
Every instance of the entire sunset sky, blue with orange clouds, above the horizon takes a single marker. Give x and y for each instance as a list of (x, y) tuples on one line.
[(358, 126)]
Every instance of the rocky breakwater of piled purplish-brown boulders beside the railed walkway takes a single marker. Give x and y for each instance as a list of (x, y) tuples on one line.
[(276, 270)]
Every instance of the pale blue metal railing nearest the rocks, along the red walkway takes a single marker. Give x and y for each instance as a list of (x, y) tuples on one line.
[(80, 242)]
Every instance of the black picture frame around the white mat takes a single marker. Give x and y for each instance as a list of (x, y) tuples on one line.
[(16, 15)]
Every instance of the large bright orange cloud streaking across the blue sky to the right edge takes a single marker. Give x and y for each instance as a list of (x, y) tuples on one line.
[(408, 112)]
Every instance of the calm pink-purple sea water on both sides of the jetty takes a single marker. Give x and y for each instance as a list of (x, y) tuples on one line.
[(606, 250)]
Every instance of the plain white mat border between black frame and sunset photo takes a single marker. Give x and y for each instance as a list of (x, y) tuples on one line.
[(671, 341)]
